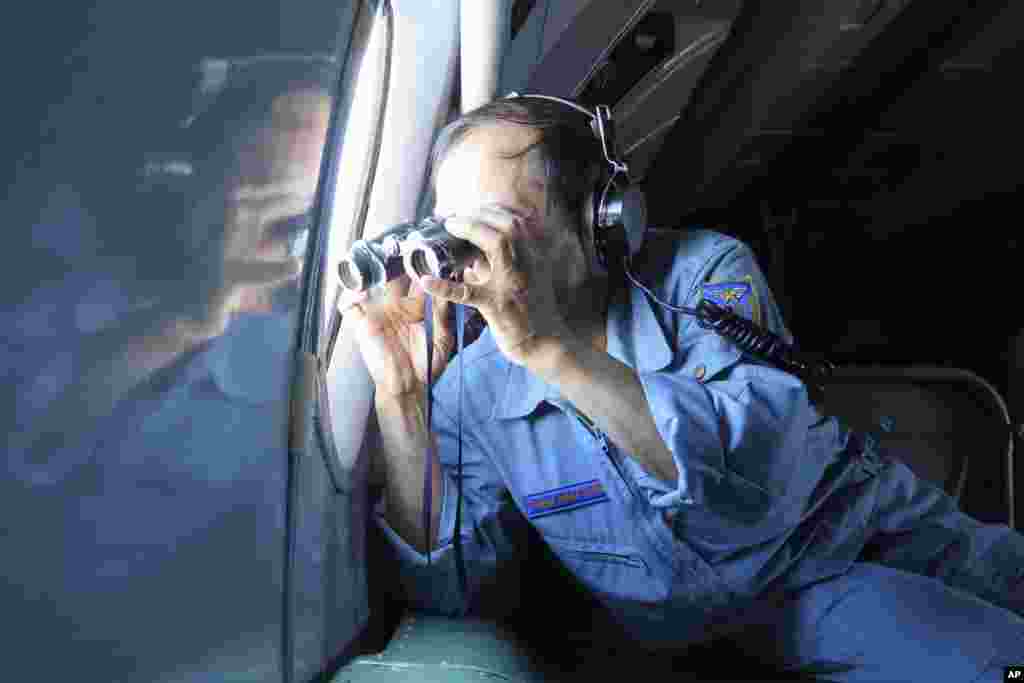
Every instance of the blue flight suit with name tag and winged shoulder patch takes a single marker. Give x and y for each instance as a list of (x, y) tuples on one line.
[(763, 537)]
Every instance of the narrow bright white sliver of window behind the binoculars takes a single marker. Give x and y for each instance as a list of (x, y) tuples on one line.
[(358, 164)]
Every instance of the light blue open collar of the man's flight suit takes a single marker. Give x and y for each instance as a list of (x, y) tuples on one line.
[(635, 338)]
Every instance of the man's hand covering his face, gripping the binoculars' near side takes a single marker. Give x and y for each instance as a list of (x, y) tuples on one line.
[(513, 286)]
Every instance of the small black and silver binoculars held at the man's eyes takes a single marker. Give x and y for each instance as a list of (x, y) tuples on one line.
[(432, 250)]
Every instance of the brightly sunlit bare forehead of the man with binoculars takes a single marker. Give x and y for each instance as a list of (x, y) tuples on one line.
[(487, 163)]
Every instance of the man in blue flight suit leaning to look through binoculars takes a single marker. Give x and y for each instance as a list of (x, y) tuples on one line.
[(698, 493)]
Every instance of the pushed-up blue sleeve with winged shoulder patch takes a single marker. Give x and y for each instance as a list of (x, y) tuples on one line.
[(734, 425)]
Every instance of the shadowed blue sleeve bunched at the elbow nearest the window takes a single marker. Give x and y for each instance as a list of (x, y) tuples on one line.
[(488, 542)]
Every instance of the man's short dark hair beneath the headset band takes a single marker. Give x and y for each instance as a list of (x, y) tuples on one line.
[(572, 155)]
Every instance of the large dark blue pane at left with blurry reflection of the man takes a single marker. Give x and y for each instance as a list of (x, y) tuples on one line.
[(150, 353)]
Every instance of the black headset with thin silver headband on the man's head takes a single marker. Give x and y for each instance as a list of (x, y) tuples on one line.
[(616, 207)]
